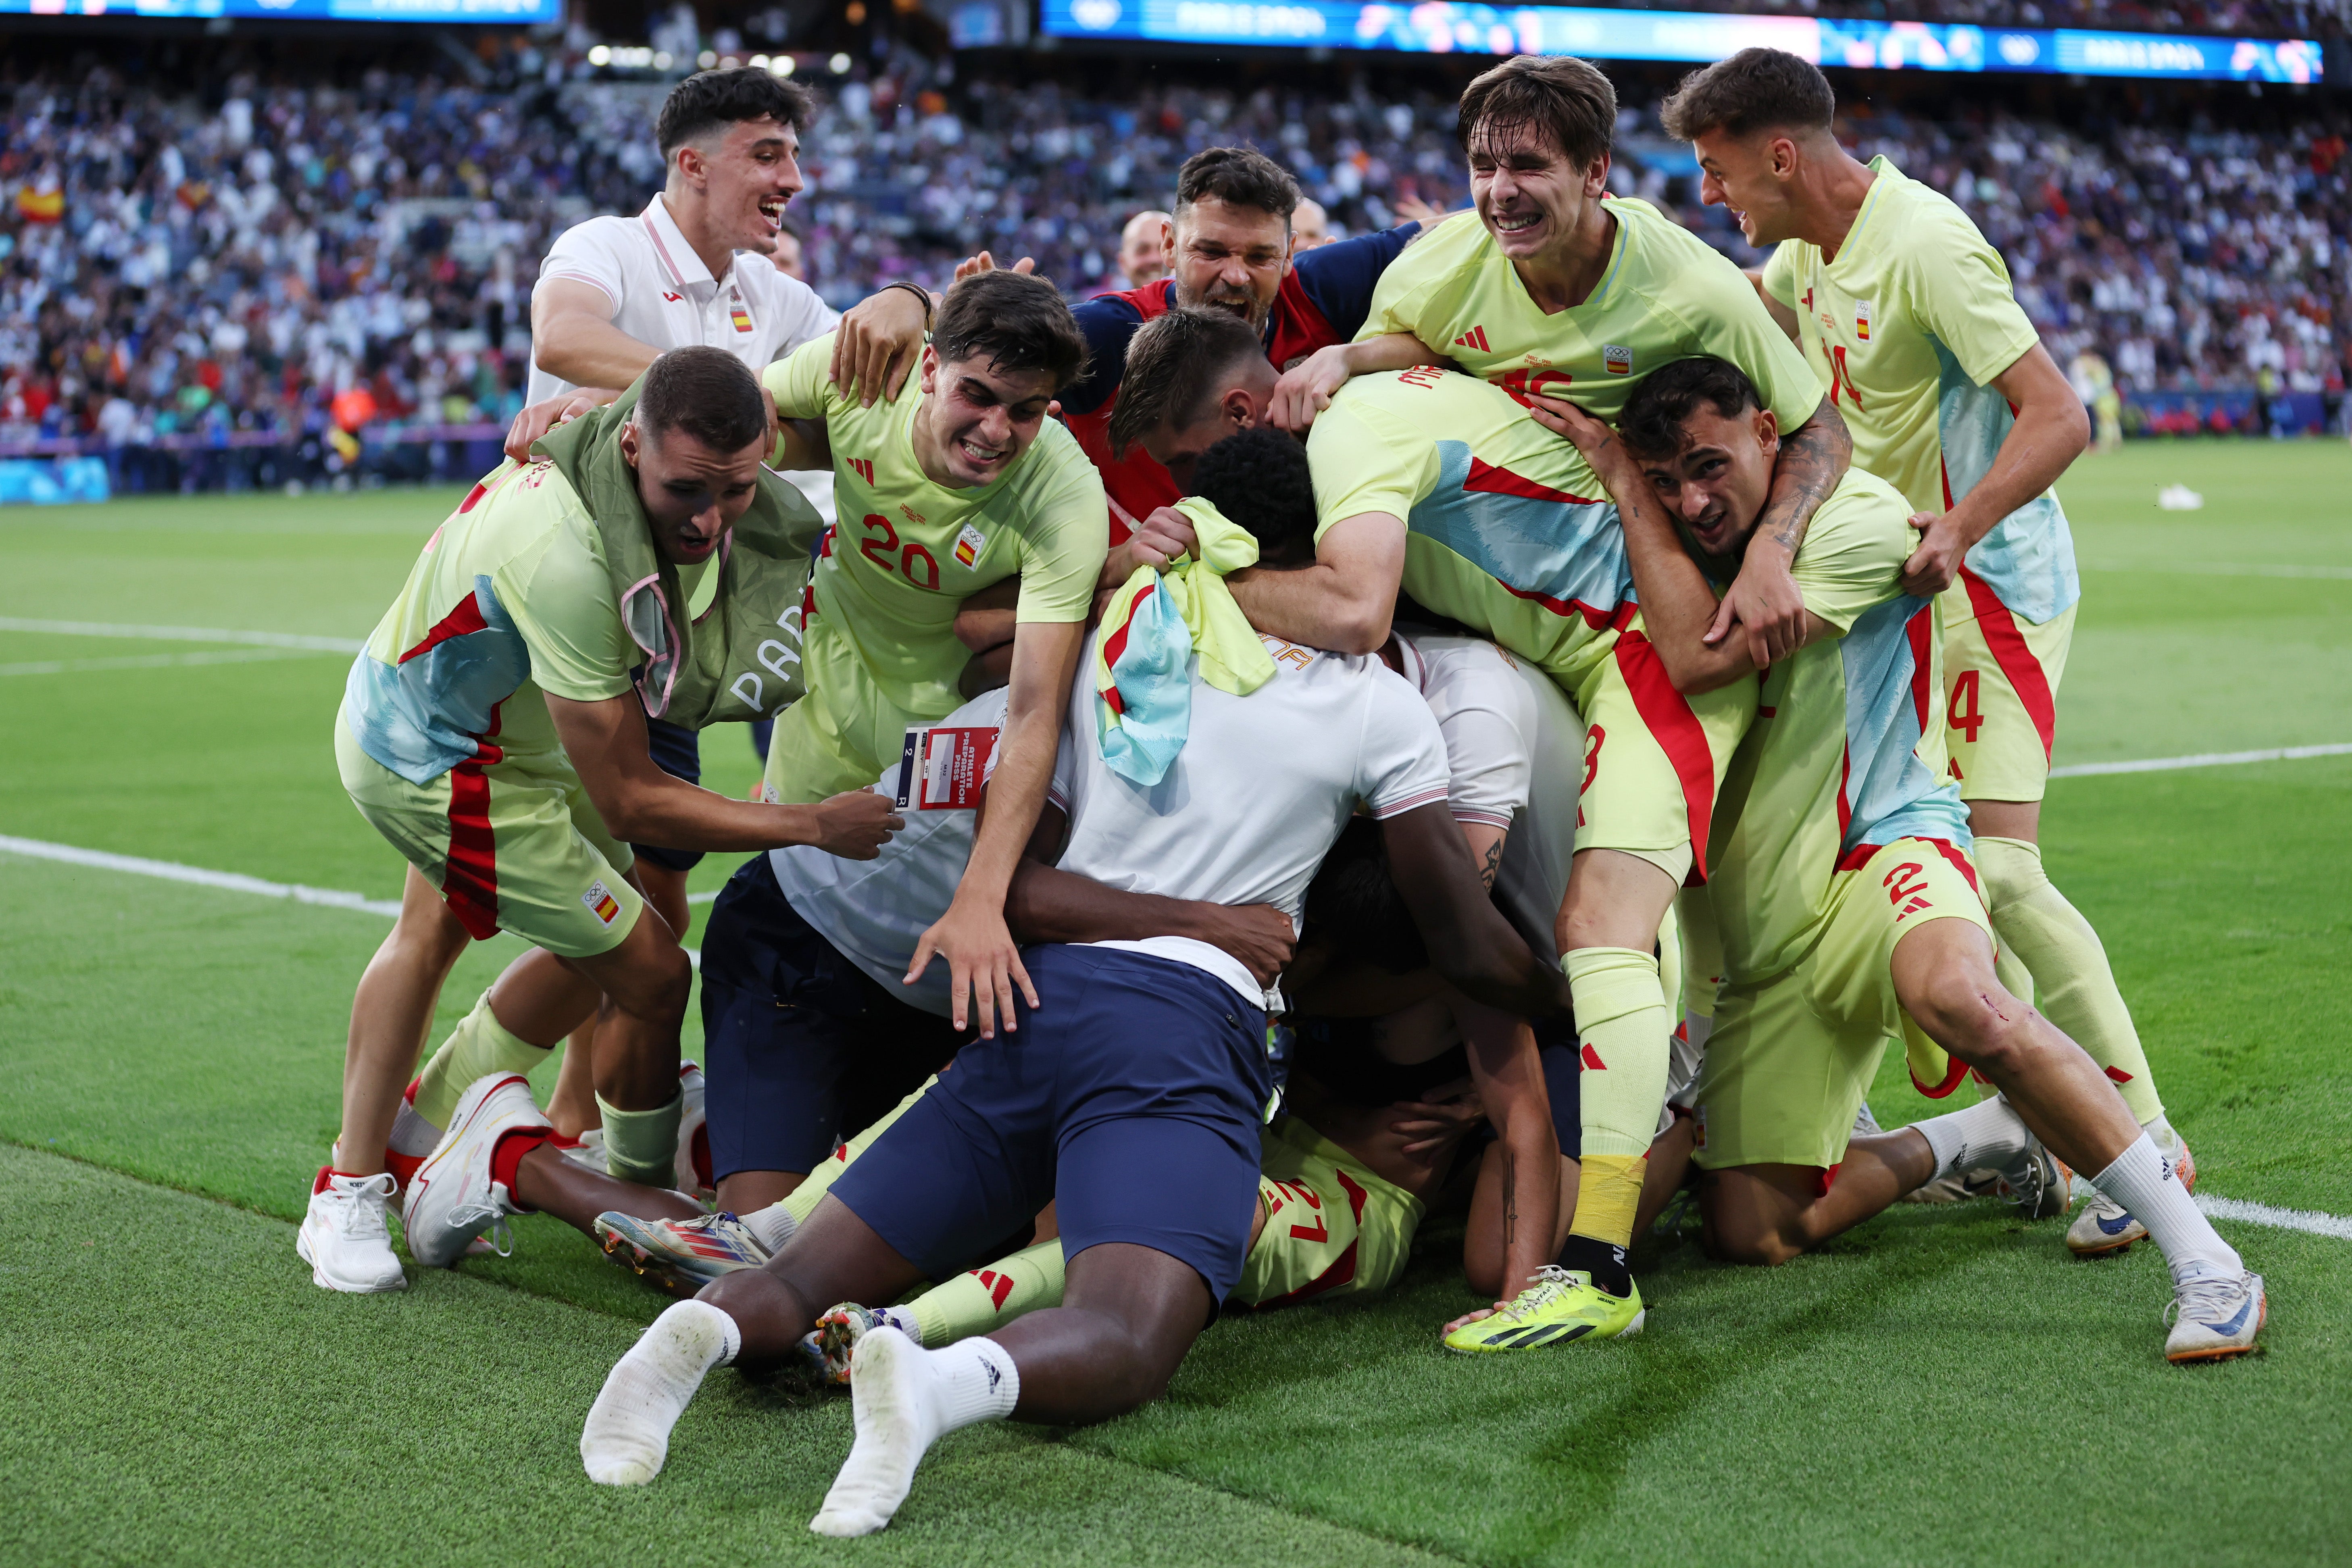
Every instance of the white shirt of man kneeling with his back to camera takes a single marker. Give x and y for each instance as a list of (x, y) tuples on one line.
[(1257, 796)]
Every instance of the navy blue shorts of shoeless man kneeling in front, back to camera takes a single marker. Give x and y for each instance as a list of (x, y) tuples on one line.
[(1132, 1101)]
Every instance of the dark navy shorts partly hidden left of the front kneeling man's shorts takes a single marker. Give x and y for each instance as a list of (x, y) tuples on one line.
[(801, 1045)]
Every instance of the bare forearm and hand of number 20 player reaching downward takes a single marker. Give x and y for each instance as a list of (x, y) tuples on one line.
[(973, 934)]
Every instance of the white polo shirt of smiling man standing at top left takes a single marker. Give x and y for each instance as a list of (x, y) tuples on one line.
[(664, 297)]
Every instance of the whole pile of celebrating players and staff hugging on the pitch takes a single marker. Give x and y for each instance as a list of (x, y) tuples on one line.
[(1495, 716)]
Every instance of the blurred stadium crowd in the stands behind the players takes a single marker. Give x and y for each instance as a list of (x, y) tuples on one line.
[(241, 262)]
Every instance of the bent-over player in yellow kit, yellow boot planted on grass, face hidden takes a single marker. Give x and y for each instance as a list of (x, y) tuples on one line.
[(1441, 485)]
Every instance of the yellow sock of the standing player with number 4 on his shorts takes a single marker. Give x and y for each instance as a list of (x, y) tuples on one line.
[(2073, 984)]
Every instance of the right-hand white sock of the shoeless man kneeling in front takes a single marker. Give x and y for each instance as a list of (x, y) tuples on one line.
[(907, 1400)]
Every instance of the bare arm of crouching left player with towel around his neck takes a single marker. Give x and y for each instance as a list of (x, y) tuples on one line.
[(643, 805)]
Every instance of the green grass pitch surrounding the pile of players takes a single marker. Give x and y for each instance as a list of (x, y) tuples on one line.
[(1939, 1386)]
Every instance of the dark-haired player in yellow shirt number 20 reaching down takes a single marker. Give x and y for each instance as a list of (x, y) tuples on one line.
[(951, 485)]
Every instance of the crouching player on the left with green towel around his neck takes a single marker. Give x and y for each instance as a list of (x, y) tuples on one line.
[(493, 735)]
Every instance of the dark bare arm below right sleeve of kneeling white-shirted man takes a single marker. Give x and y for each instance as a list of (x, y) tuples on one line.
[(1469, 939)]
